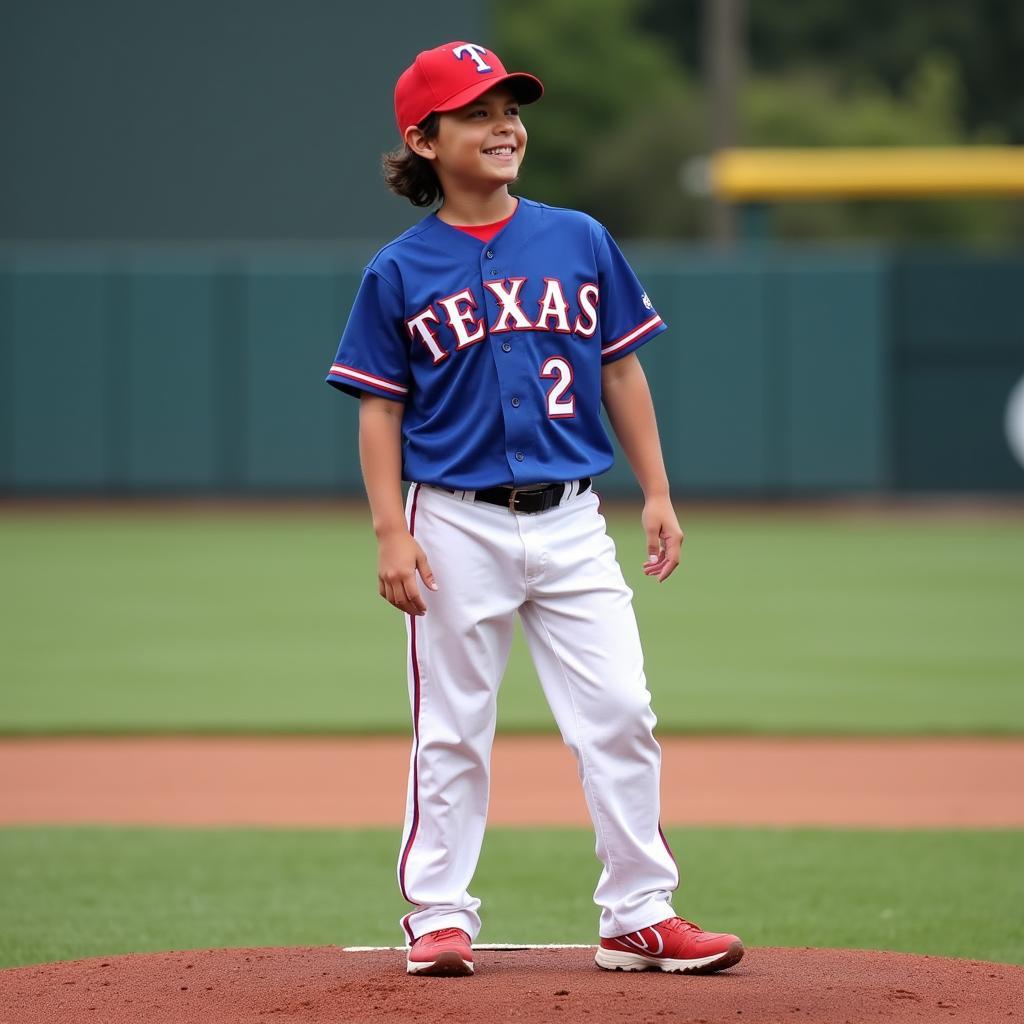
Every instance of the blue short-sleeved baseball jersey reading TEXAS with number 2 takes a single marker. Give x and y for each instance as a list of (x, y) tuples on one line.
[(496, 349)]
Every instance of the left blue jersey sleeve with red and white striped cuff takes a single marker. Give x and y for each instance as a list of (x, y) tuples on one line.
[(373, 356)]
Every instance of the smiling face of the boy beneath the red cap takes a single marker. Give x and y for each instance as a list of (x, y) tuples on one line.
[(480, 146)]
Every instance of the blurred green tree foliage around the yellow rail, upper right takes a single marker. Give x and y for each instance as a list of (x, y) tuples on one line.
[(626, 108)]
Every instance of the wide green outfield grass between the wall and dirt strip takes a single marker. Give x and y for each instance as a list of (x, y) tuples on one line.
[(271, 622)]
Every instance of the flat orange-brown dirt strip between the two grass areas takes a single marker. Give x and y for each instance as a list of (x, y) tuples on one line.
[(306, 783)]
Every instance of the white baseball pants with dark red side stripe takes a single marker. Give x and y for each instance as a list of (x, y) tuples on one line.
[(559, 571)]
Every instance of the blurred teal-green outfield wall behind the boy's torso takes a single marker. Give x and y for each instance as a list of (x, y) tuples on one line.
[(788, 371)]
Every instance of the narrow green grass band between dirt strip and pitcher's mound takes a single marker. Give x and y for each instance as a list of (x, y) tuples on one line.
[(70, 893)]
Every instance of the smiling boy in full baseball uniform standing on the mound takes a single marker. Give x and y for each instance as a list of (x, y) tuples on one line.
[(483, 344)]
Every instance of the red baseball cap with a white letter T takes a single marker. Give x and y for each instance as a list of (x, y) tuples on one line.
[(451, 76)]
